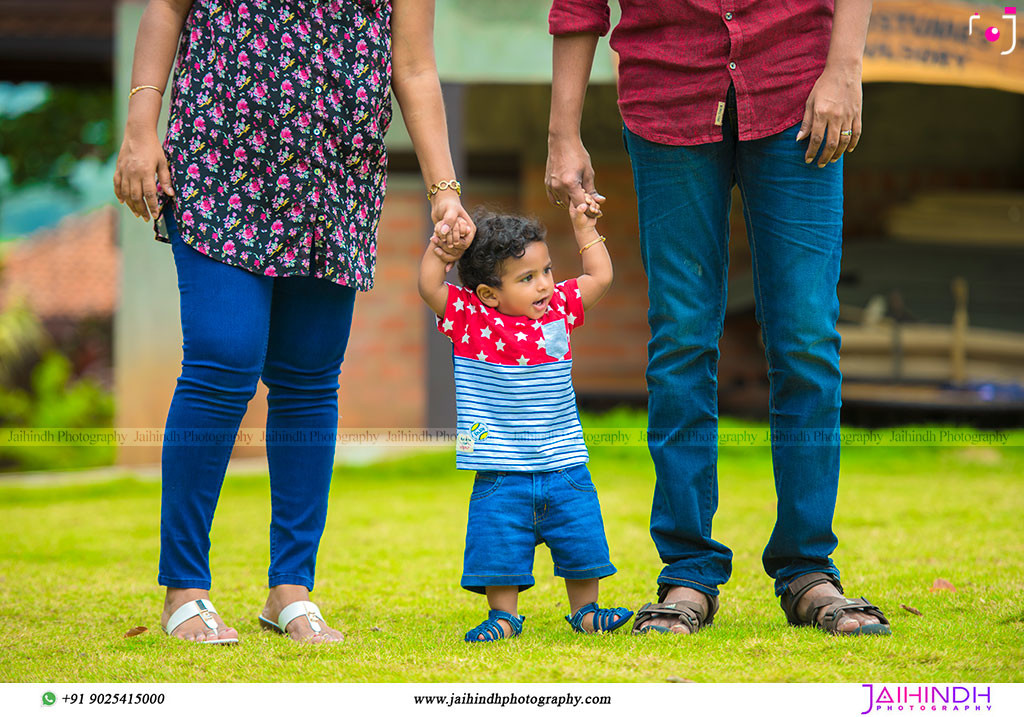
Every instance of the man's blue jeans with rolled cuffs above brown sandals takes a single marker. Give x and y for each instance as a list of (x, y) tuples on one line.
[(794, 215)]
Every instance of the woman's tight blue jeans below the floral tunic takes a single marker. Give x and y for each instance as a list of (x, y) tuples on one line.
[(240, 328)]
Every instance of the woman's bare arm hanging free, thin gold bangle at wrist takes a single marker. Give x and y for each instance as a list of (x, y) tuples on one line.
[(142, 157)]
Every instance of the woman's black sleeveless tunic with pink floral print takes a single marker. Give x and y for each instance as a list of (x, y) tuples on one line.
[(276, 135)]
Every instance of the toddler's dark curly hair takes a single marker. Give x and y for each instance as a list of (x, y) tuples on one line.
[(499, 237)]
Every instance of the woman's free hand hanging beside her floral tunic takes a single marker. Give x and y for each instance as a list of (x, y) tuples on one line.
[(142, 160)]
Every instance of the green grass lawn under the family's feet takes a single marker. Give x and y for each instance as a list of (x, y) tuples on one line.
[(78, 569)]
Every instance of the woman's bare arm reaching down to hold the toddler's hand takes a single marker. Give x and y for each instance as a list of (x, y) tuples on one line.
[(414, 79)]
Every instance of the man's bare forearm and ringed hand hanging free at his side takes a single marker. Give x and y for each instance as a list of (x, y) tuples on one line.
[(836, 102)]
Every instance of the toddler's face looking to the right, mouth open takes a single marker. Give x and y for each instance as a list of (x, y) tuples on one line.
[(527, 284)]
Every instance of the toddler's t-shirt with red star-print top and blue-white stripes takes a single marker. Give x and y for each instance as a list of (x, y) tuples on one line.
[(514, 378)]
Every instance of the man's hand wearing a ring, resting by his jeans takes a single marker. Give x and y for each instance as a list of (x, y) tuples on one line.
[(833, 114)]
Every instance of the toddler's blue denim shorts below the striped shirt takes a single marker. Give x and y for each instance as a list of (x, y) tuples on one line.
[(510, 514)]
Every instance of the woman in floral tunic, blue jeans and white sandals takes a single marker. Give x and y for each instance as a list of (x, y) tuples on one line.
[(271, 183)]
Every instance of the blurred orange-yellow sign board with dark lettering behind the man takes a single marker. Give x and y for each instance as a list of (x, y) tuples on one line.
[(941, 45)]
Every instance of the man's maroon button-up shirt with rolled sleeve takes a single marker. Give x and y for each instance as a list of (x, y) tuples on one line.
[(678, 59)]
